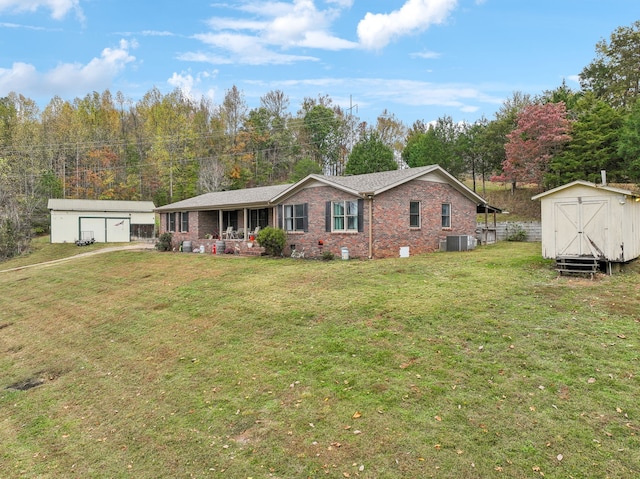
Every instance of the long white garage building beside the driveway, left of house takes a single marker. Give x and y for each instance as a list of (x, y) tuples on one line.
[(105, 221)]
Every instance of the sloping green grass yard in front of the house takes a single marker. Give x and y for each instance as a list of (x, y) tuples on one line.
[(481, 364)]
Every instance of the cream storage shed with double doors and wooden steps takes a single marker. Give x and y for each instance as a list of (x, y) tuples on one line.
[(586, 220)]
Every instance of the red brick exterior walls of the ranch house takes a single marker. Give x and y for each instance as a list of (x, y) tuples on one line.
[(390, 224)]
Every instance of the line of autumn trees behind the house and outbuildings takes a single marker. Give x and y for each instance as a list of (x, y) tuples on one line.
[(168, 147)]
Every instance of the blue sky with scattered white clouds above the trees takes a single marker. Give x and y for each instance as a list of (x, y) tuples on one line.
[(418, 59)]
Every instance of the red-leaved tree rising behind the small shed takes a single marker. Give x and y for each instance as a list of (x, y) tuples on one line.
[(541, 132)]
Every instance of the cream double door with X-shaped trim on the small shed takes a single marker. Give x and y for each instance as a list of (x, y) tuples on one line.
[(581, 228)]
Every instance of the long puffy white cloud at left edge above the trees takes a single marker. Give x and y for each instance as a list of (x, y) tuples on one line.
[(67, 78)]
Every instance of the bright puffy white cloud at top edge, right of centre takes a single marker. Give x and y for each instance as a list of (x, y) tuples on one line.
[(376, 31)]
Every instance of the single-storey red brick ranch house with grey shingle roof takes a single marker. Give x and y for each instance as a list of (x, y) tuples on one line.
[(373, 215)]
